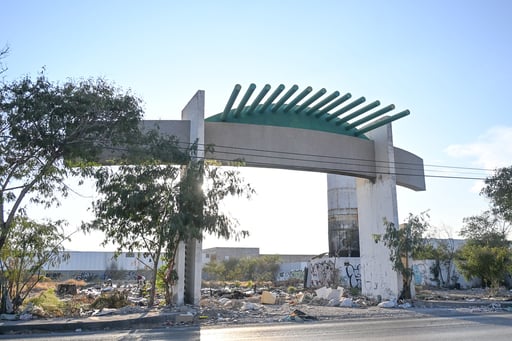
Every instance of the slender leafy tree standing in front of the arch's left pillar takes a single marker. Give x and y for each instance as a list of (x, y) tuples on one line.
[(156, 205)]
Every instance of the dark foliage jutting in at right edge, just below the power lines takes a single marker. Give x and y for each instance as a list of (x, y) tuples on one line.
[(498, 189)]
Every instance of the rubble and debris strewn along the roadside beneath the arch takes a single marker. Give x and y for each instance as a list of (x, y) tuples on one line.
[(254, 305)]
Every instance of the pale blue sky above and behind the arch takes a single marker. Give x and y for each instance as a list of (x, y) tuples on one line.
[(448, 62)]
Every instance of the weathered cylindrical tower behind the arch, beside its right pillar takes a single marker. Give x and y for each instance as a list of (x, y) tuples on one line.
[(342, 216)]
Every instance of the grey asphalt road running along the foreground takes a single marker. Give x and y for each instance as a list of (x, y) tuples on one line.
[(480, 327)]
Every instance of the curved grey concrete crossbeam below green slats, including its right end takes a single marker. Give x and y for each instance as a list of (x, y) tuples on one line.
[(308, 150)]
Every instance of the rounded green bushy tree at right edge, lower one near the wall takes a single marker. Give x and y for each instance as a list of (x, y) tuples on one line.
[(486, 254)]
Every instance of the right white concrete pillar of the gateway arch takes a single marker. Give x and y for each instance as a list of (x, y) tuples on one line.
[(376, 201)]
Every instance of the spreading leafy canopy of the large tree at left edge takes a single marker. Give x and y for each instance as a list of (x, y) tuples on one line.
[(41, 123)]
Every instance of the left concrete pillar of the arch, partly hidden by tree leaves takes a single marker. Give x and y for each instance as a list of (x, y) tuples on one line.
[(189, 258)]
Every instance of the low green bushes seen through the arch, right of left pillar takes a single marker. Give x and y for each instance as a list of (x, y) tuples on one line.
[(255, 269)]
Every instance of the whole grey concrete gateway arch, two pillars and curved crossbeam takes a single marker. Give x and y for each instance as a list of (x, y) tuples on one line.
[(372, 159)]
